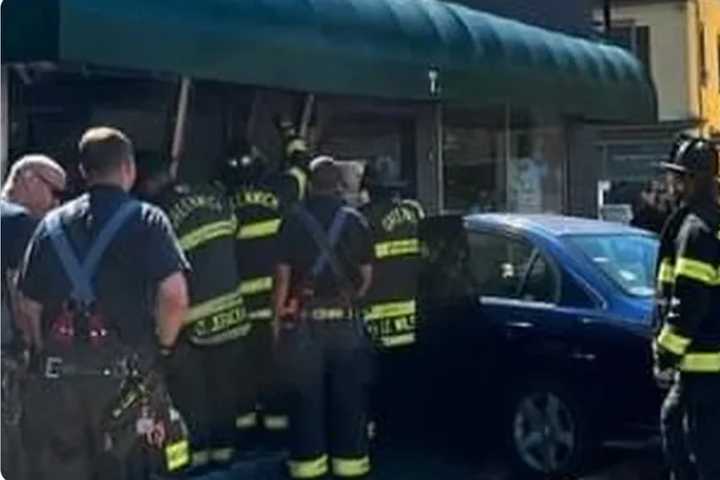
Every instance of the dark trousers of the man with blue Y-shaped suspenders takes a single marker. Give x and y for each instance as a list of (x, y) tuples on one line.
[(62, 428)]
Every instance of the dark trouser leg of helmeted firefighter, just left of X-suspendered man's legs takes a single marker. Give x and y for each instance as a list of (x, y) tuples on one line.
[(272, 402)]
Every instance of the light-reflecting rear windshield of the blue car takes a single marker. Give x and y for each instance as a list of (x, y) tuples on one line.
[(629, 260)]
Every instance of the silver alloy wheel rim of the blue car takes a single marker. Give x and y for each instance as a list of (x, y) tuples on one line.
[(544, 432)]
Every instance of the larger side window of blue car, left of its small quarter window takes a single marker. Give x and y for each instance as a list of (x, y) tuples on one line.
[(499, 264)]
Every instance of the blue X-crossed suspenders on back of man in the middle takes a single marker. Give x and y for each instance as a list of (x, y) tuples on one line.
[(326, 242)]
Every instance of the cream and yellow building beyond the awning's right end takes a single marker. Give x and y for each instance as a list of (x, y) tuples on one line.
[(679, 42)]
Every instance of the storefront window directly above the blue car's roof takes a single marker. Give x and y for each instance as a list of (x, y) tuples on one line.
[(489, 167)]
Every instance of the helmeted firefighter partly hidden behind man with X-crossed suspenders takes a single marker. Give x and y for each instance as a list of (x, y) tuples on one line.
[(254, 195)]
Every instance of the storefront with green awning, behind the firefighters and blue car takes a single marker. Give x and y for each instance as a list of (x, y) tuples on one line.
[(474, 111)]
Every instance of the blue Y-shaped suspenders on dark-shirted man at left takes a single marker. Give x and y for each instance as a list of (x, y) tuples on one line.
[(81, 275)]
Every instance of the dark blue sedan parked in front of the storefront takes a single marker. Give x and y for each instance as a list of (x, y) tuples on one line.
[(537, 329)]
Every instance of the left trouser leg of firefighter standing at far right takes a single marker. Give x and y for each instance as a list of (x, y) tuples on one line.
[(674, 435)]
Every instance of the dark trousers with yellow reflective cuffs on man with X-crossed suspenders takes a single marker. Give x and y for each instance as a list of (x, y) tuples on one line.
[(328, 368)]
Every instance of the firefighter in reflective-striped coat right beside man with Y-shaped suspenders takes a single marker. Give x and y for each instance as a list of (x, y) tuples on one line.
[(209, 376)]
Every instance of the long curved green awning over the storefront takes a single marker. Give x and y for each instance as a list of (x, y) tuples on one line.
[(378, 48)]
